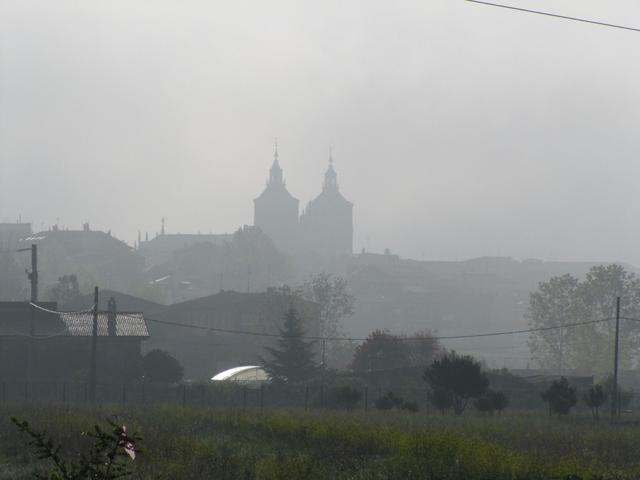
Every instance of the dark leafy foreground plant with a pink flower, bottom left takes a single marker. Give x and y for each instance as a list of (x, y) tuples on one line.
[(108, 458)]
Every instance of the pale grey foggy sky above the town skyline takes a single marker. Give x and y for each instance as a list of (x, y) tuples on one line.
[(458, 130)]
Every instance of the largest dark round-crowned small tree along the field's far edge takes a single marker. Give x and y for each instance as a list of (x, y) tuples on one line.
[(460, 375)]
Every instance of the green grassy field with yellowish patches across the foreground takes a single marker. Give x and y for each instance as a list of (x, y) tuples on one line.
[(199, 443)]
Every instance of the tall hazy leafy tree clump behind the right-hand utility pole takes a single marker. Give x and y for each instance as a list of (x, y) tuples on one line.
[(564, 300)]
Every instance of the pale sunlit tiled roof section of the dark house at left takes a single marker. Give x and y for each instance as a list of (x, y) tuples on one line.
[(127, 324)]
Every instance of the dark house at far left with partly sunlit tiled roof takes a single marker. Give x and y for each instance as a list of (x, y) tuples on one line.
[(61, 345)]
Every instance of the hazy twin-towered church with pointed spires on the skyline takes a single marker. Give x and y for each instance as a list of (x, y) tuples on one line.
[(325, 226)]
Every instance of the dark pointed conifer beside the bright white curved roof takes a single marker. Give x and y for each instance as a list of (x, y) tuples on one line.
[(292, 361)]
